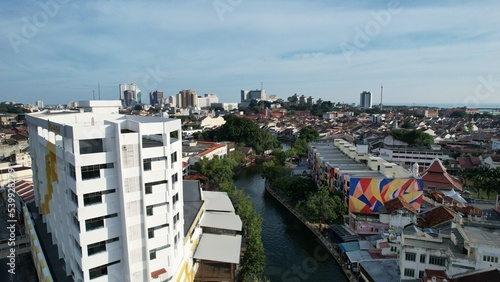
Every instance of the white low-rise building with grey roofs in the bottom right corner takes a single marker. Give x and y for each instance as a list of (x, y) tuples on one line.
[(466, 249)]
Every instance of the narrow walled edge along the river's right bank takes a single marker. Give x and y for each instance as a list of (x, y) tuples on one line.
[(331, 247)]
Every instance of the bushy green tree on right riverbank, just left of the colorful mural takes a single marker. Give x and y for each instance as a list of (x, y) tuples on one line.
[(322, 206)]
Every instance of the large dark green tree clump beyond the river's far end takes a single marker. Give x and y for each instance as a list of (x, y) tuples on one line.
[(244, 131)]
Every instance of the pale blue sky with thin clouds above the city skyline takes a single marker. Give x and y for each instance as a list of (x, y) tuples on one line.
[(59, 51)]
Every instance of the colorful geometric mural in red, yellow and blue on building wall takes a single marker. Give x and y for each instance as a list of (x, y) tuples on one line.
[(367, 195)]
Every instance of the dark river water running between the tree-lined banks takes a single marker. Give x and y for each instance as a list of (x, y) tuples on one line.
[(293, 252)]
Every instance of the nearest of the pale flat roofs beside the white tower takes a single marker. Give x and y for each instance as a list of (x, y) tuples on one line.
[(219, 247)]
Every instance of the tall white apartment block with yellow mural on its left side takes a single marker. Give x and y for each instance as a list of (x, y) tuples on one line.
[(109, 189)]
